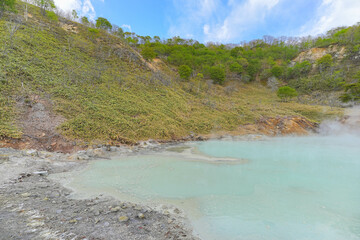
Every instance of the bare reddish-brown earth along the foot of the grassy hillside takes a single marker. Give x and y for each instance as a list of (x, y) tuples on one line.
[(51, 141)]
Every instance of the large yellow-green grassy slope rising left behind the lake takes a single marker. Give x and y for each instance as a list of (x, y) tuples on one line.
[(106, 91)]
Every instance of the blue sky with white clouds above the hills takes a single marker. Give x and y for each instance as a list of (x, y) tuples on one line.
[(224, 21)]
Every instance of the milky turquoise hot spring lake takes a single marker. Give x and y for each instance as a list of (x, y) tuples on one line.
[(301, 188)]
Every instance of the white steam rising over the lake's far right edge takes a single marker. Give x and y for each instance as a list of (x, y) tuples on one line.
[(349, 125)]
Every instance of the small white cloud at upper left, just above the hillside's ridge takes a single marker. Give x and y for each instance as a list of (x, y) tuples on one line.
[(83, 7)]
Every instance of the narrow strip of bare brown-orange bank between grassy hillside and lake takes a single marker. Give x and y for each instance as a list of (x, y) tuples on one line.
[(279, 126)]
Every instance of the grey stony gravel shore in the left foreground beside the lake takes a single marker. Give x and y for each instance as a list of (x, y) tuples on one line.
[(33, 206)]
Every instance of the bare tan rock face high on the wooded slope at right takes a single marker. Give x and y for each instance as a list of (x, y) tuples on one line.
[(314, 54)]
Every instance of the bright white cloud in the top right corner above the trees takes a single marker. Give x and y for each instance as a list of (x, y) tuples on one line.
[(331, 14)]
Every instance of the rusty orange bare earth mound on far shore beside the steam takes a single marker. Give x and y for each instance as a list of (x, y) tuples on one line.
[(280, 126)]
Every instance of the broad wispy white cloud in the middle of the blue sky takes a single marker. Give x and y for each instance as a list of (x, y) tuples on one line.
[(219, 21)]
